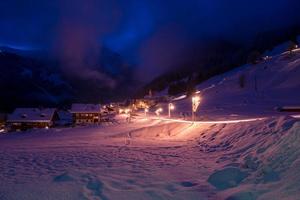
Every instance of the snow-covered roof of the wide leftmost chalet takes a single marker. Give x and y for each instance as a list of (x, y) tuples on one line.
[(32, 115)]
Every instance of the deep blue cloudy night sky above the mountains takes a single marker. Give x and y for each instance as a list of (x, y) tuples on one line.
[(151, 34)]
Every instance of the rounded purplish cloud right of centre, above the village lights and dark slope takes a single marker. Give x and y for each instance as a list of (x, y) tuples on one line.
[(165, 49)]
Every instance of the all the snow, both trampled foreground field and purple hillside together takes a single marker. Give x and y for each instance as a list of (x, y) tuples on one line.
[(239, 148)]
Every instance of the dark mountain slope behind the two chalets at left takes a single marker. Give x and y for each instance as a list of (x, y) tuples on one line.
[(37, 81)]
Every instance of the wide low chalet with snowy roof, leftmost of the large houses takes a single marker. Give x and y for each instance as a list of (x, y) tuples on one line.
[(27, 118)]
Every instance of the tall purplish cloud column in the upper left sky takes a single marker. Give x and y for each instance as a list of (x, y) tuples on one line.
[(80, 27)]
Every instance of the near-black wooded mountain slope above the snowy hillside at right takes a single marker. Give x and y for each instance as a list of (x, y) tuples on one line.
[(209, 59)]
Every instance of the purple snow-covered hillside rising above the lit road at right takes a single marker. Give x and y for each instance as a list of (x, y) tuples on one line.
[(265, 86)]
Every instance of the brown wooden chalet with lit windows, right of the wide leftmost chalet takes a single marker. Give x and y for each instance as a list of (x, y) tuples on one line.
[(86, 113)]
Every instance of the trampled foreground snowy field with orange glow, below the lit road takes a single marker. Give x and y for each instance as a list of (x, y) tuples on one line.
[(152, 159)]
